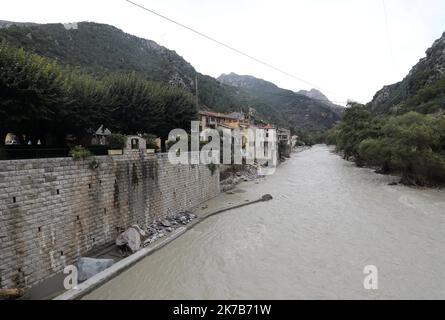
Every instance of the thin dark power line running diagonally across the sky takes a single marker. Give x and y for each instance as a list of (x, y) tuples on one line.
[(232, 48)]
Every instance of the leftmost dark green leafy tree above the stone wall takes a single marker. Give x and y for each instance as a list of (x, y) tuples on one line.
[(32, 94)]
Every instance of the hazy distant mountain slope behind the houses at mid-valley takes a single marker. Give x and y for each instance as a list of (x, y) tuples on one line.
[(294, 109)]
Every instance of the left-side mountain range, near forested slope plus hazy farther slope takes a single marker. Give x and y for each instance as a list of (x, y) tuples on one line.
[(99, 50)]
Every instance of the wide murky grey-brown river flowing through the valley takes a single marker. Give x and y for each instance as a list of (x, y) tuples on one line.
[(327, 221)]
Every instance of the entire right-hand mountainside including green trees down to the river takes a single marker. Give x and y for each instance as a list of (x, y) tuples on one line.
[(402, 130)]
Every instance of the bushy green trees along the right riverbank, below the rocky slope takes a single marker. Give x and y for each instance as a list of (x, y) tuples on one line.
[(411, 144)]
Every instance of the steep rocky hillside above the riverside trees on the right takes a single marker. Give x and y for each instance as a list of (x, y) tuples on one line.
[(422, 90)]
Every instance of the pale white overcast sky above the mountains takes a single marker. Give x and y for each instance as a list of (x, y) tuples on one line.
[(342, 46)]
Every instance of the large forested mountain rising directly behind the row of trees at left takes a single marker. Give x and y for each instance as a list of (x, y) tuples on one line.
[(99, 49)]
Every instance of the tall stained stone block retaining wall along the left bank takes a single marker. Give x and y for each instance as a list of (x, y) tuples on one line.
[(54, 210)]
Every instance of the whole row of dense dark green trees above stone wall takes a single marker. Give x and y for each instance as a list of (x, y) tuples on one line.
[(43, 101)]
